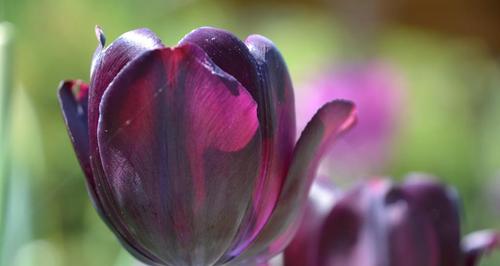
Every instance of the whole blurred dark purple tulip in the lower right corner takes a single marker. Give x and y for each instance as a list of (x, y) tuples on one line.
[(379, 223)]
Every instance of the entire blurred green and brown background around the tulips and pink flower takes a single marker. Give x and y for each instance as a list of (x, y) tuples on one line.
[(444, 53)]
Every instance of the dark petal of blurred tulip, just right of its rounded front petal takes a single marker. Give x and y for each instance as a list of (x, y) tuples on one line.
[(440, 204)]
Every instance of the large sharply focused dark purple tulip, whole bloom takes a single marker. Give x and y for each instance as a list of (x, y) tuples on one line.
[(189, 152)]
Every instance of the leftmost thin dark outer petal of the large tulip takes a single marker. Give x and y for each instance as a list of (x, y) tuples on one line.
[(73, 99)]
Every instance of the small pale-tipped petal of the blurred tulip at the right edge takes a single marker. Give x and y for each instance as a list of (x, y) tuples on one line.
[(477, 244)]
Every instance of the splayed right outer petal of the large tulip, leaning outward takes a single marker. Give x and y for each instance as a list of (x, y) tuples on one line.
[(330, 121)]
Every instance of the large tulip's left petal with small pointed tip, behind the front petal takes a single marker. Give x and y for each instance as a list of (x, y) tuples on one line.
[(106, 65)]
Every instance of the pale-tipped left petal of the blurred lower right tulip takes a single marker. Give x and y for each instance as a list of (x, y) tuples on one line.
[(303, 250)]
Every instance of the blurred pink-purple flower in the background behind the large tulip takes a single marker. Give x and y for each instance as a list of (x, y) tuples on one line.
[(377, 91)]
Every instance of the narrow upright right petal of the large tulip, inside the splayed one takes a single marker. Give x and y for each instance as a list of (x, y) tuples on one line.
[(279, 120)]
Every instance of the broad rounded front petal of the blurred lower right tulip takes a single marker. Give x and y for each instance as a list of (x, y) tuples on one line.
[(376, 224)]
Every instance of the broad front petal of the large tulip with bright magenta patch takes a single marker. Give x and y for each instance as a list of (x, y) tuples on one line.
[(182, 186)]
